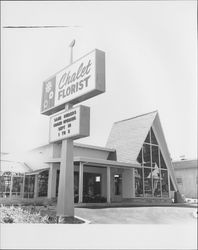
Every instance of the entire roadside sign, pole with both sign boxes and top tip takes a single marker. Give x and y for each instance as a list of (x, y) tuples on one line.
[(79, 81)]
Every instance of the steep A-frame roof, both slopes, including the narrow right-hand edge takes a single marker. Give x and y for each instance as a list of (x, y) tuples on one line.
[(127, 137)]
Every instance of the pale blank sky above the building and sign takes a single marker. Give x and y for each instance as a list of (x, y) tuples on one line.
[(151, 64)]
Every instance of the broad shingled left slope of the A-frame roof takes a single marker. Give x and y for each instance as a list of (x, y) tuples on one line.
[(127, 136)]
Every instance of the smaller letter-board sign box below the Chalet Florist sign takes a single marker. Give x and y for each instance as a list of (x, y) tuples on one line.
[(73, 123)]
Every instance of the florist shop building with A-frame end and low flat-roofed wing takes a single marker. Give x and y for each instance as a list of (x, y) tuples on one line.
[(134, 165)]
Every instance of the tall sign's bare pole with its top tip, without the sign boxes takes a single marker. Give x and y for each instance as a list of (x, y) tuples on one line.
[(65, 204)]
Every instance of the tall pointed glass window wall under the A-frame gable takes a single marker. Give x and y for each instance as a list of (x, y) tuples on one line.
[(152, 181)]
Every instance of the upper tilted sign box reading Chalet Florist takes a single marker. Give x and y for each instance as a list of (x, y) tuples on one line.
[(79, 81)]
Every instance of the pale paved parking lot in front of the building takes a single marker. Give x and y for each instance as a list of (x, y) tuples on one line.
[(139, 215)]
